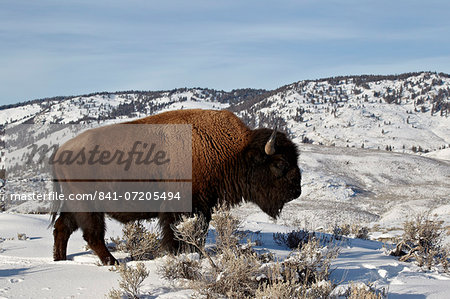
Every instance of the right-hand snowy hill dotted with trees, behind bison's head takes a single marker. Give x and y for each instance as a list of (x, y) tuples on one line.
[(403, 114)]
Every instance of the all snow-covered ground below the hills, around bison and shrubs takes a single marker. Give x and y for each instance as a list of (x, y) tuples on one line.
[(340, 185)]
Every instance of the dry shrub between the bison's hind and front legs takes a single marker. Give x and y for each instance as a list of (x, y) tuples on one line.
[(138, 241)]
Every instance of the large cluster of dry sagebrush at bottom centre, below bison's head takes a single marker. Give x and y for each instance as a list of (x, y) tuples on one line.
[(236, 270)]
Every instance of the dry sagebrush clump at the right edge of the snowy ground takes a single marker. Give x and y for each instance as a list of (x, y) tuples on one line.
[(422, 241)]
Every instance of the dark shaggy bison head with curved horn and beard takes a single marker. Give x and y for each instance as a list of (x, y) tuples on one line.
[(273, 176)]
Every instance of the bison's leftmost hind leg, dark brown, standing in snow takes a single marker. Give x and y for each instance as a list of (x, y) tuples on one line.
[(63, 228)]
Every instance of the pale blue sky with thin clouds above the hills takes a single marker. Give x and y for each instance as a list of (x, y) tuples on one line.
[(73, 47)]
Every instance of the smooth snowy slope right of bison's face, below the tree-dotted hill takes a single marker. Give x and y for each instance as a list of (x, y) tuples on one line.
[(369, 187)]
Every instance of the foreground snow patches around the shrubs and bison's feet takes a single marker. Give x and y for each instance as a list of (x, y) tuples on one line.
[(27, 269)]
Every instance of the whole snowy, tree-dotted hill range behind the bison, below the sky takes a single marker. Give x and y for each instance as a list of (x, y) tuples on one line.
[(402, 113)]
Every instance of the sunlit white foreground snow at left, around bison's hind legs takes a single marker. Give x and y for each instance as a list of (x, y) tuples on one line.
[(28, 271)]
